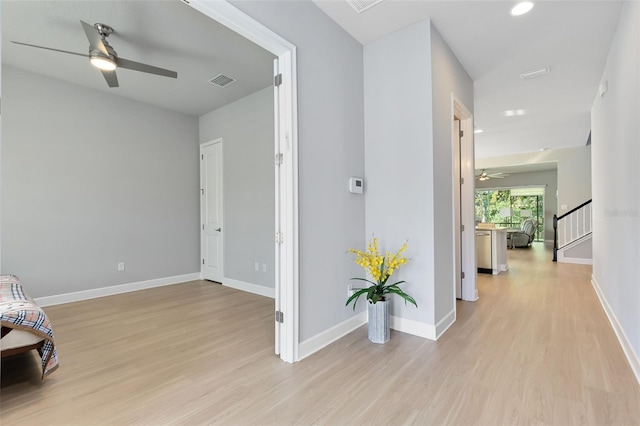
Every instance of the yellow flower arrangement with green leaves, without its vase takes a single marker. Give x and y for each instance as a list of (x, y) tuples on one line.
[(379, 267)]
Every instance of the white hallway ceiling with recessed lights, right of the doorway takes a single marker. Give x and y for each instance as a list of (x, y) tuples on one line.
[(570, 37)]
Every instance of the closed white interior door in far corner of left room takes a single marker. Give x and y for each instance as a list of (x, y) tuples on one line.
[(211, 205)]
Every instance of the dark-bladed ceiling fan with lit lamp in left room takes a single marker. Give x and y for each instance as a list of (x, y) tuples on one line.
[(104, 57)]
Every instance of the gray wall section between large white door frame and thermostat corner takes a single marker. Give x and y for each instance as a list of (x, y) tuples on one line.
[(331, 147)]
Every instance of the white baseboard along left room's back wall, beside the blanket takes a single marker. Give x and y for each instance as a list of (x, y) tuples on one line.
[(111, 290)]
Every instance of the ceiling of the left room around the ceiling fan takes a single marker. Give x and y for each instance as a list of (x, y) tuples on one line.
[(167, 34)]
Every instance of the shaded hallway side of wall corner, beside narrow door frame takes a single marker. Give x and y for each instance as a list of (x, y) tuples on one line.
[(448, 76)]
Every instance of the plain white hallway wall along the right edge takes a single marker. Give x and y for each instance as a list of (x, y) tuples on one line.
[(616, 198)]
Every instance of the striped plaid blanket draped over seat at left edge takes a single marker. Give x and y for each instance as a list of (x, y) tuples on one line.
[(19, 311)]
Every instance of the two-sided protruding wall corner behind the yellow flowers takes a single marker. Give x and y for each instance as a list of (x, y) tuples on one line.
[(409, 162)]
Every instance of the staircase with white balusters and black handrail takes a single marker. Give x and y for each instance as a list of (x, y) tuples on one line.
[(572, 235)]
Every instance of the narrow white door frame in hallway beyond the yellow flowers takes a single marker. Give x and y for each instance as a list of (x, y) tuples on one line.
[(467, 243)]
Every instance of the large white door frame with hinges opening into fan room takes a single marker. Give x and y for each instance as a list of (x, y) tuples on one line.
[(286, 144)]
